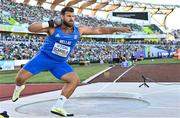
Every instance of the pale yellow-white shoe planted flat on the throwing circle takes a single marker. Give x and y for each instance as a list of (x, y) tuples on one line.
[(61, 112)]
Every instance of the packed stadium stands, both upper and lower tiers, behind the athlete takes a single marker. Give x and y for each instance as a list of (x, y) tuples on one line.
[(23, 46)]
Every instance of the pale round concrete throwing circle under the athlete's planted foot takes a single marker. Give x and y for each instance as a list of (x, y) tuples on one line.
[(87, 106)]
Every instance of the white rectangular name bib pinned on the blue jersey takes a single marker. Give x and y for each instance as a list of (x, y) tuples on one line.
[(61, 50)]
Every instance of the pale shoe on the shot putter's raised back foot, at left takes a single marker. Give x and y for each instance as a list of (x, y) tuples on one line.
[(17, 93)]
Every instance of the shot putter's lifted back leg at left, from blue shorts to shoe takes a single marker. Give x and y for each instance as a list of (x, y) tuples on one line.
[(37, 64)]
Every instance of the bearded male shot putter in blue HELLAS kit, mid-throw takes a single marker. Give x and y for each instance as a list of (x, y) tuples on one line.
[(62, 38)]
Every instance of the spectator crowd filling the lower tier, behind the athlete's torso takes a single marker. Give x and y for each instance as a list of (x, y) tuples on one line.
[(18, 47)]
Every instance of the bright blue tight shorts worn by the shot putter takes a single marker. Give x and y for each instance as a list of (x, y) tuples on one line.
[(41, 62)]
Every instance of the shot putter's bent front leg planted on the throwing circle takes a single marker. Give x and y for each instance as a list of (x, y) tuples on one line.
[(67, 74)]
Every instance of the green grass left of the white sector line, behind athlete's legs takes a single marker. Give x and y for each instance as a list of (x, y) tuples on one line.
[(84, 73)]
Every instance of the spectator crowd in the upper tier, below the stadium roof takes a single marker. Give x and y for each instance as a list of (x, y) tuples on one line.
[(25, 14)]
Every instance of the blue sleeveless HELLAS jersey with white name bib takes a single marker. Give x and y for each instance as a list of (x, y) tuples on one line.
[(59, 45)]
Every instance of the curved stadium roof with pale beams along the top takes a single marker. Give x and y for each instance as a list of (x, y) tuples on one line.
[(107, 6)]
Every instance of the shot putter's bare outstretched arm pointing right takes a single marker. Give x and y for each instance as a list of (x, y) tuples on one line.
[(101, 30)]
